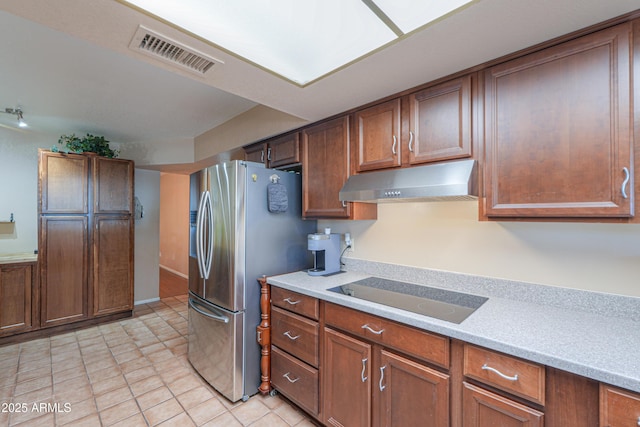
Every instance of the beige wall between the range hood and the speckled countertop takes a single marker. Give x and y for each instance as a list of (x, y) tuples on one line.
[(448, 236)]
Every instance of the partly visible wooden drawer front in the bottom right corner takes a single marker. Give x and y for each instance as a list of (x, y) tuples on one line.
[(618, 407)]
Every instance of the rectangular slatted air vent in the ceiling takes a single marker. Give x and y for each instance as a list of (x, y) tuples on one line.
[(167, 50)]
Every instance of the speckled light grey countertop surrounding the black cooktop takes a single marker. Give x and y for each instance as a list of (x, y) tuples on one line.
[(592, 334)]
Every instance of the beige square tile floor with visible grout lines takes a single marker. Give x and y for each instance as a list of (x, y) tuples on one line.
[(132, 372)]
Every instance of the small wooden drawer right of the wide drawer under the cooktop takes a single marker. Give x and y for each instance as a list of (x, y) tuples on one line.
[(507, 373)]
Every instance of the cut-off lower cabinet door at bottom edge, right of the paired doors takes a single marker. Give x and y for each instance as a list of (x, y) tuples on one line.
[(482, 408)]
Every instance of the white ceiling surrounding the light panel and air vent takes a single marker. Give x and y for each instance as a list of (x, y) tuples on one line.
[(68, 65)]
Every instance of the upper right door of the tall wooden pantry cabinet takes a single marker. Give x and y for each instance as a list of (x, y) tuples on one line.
[(113, 185)]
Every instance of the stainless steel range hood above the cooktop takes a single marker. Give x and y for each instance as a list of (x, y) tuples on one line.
[(454, 180)]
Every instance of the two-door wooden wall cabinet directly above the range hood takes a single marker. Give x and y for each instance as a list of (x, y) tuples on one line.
[(440, 127)]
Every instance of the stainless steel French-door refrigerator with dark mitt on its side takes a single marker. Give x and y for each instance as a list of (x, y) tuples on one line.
[(238, 234)]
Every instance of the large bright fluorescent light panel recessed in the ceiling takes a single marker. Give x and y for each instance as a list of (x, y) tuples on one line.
[(301, 40)]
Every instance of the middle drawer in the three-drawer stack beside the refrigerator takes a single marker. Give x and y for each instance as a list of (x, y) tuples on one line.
[(295, 334)]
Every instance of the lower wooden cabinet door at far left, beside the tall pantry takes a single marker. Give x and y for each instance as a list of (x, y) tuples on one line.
[(15, 298)]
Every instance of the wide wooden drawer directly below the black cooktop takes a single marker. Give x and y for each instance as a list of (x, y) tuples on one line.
[(406, 339)]
